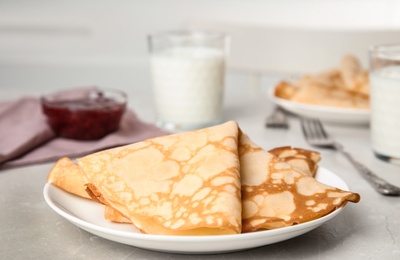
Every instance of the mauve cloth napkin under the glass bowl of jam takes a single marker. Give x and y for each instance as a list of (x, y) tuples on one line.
[(25, 137)]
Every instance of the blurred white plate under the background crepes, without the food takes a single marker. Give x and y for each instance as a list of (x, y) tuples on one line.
[(326, 114)]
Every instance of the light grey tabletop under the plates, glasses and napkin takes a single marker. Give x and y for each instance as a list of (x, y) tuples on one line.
[(31, 230)]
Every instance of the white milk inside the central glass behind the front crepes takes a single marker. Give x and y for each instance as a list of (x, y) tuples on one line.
[(188, 85)]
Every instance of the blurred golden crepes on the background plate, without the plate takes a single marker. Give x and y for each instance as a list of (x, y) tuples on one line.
[(343, 87)]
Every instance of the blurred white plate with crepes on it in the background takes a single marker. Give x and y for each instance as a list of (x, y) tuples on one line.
[(340, 95)]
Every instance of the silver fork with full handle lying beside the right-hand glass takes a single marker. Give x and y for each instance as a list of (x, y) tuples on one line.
[(317, 136)]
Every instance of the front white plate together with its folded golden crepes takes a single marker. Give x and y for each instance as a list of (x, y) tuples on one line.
[(211, 190)]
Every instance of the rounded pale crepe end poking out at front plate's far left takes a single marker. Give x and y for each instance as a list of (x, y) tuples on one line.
[(66, 175)]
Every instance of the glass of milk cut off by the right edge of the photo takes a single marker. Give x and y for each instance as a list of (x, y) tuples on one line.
[(385, 101)]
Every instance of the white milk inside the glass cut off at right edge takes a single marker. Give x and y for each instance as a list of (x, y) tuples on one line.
[(385, 107)]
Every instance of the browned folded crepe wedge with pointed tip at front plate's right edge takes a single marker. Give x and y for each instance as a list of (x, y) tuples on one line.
[(275, 194)]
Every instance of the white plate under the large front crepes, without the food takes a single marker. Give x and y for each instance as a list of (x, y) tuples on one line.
[(89, 216)]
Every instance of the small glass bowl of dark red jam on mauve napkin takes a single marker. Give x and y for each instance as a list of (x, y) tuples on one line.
[(84, 114)]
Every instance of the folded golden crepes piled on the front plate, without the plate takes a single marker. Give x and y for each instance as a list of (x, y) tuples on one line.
[(213, 181)]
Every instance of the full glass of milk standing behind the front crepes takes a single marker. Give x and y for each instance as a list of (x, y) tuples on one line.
[(188, 72)]
